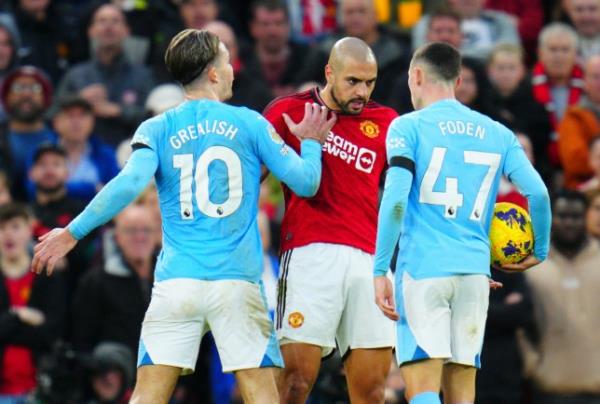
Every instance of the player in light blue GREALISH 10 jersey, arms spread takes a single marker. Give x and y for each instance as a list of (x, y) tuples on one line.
[(206, 158)]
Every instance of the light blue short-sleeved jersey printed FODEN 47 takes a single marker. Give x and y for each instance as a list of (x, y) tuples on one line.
[(459, 157)]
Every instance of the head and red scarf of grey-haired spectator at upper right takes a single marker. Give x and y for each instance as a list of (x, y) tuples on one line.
[(557, 79)]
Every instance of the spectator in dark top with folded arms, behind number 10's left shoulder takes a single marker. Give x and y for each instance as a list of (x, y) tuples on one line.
[(115, 87)]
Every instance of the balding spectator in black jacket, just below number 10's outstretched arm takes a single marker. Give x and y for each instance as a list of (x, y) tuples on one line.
[(111, 301)]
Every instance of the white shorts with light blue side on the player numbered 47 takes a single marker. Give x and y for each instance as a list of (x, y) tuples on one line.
[(442, 318)]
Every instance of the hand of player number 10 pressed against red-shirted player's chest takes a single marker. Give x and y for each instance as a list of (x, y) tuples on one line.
[(314, 125)]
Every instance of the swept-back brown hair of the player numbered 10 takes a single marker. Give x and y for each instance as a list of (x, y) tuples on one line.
[(189, 54)]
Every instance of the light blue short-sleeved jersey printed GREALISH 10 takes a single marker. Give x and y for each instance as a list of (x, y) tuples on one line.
[(208, 181)]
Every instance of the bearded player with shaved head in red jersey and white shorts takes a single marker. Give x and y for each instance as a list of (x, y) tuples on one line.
[(328, 241)]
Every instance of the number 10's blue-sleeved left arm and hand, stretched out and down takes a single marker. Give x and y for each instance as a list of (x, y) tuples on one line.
[(117, 194)]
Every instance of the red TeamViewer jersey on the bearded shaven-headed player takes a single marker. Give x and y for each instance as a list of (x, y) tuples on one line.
[(344, 210)]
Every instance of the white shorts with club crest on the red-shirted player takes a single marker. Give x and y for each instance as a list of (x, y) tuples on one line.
[(326, 294)]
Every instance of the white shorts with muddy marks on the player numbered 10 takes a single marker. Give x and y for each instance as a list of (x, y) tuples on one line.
[(183, 310)]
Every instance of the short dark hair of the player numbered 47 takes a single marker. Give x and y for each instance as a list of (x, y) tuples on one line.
[(443, 59)]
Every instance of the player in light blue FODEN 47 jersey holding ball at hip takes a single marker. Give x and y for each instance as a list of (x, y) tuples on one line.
[(445, 166)]
